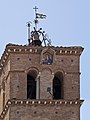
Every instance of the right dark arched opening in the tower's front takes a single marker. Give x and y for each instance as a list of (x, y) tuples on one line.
[(58, 86)]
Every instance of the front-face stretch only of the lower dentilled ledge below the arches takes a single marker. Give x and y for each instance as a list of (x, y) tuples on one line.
[(43, 102)]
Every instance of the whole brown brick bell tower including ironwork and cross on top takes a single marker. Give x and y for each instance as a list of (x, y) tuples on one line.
[(39, 81)]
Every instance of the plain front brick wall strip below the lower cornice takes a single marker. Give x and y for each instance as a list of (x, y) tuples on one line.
[(44, 112)]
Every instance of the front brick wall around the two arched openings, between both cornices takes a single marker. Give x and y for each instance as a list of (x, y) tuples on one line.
[(22, 63)]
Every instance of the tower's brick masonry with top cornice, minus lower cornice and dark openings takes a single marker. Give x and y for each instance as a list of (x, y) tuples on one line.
[(17, 61)]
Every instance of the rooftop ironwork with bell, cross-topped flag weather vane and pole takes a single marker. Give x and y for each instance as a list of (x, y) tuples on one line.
[(37, 36)]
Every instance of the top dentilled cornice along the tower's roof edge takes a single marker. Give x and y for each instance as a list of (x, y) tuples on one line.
[(19, 49)]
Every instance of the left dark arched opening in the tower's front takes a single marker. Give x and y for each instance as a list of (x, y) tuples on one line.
[(31, 85)]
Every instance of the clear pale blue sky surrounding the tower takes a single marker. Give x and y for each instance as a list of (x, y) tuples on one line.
[(67, 24)]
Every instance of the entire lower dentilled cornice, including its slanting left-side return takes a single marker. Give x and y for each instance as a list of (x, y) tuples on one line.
[(38, 103)]
